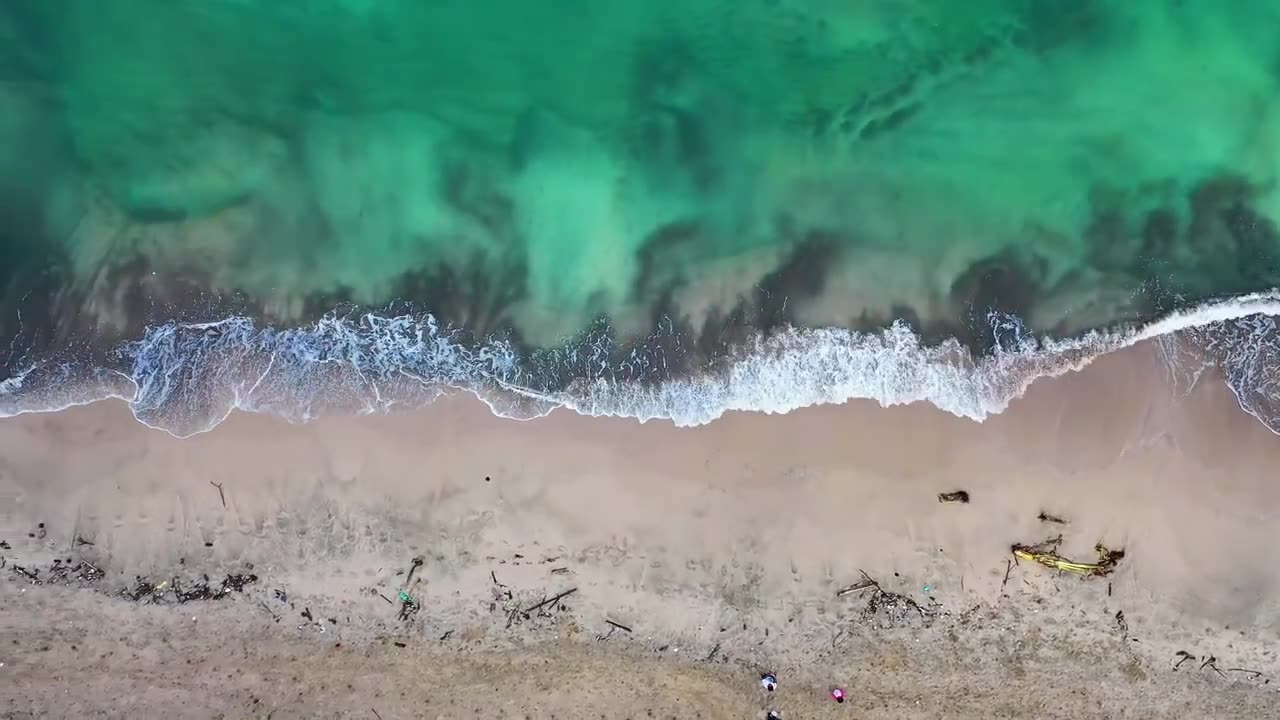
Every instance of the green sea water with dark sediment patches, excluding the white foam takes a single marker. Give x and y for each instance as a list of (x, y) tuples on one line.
[(536, 166)]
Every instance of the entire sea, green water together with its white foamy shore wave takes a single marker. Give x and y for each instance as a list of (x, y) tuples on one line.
[(661, 209)]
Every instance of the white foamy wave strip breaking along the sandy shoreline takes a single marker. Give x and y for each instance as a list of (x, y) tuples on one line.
[(188, 379)]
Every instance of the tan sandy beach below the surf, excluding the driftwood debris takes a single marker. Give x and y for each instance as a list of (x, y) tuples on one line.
[(721, 549)]
